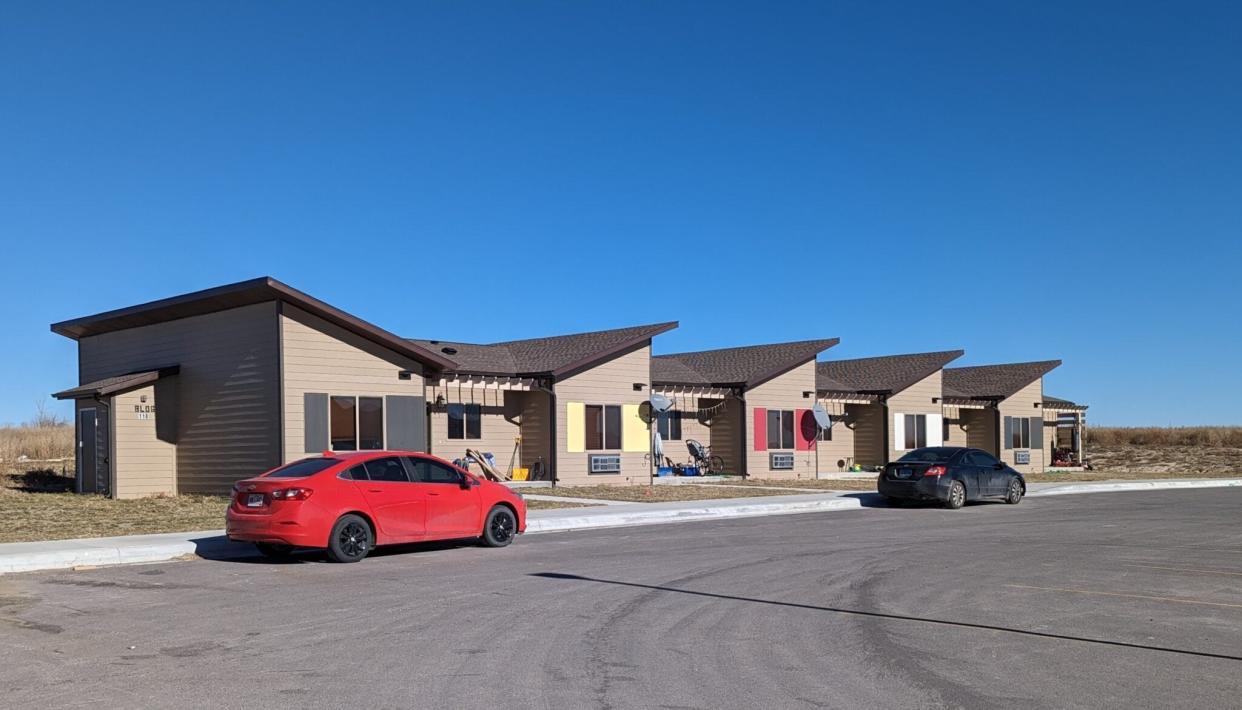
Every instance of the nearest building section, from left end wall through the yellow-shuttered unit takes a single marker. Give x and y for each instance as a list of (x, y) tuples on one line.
[(193, 393)]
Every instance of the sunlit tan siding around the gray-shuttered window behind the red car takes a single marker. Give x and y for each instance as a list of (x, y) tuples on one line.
[(320, 357)]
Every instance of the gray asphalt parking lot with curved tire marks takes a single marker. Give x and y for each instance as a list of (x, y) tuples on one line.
[(1087, 601)]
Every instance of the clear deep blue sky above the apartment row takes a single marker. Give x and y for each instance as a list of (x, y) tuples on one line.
[(1024, 181)]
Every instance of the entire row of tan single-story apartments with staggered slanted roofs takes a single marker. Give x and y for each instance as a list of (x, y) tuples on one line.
[(194, 393)]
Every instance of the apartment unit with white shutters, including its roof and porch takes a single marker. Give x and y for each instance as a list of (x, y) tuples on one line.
[(886, 407)]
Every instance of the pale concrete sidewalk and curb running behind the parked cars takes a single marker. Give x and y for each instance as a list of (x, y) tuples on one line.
[(212, 544)]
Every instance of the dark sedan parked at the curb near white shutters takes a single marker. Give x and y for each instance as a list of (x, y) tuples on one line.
[(952, 476)]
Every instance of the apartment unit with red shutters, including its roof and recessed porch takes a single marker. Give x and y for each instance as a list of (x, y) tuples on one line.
[(751, 405)]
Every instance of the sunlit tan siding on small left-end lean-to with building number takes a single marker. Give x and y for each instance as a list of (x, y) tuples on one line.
[(143, 464)]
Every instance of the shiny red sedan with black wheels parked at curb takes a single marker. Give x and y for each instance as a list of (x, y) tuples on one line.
[(348, 503)]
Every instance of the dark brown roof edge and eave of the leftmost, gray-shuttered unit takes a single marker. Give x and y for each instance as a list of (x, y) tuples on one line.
[(233, 296)]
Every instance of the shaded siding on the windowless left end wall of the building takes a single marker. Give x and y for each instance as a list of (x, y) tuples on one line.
[(228, 405)]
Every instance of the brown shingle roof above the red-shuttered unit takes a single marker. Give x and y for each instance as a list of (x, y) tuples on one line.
[(735, 367)]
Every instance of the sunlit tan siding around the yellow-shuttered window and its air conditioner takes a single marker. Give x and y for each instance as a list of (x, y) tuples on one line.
[(608, 384)]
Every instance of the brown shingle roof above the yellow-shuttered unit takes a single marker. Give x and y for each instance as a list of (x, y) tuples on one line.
[(557, 356)]
